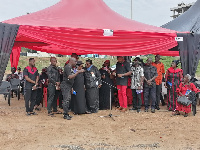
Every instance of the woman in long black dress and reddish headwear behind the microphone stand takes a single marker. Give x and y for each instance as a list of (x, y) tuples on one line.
[(104, 91)]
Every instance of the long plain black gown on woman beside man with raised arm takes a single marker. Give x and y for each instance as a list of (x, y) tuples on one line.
[(79, 101)]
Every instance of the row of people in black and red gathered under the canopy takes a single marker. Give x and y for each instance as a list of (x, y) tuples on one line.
[(86, 89)]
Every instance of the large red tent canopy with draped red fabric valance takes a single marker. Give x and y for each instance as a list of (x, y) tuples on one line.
[(77, 26)]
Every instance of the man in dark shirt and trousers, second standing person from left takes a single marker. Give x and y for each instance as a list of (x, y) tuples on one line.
[(53, 86)]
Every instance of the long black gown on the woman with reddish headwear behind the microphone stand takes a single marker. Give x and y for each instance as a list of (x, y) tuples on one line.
[(104, 91)]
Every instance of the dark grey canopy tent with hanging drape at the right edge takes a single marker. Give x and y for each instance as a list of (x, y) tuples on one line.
[(190, 46)]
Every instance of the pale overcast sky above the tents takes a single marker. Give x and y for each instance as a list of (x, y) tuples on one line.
[(153, 12)]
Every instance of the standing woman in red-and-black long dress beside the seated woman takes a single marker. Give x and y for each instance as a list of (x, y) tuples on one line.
[(173, 78)]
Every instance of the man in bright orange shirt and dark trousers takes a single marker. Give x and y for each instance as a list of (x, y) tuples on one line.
[(161, 71)]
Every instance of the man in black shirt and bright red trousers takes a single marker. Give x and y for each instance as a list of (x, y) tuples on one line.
[(123, 70)]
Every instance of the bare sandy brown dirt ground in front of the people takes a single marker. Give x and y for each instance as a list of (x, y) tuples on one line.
[(129, 131)]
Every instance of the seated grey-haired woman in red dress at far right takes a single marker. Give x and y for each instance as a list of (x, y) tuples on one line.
[(182, 91)]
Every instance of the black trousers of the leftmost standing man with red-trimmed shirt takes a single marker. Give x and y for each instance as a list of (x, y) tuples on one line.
[(30, 97)]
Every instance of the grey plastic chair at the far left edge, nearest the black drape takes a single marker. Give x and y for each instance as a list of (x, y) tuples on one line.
[(5, 89)]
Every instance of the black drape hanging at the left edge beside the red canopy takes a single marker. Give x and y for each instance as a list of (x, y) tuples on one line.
[(8, 33)]
